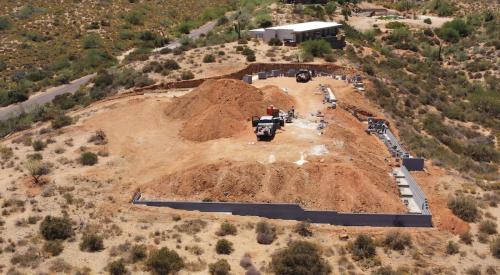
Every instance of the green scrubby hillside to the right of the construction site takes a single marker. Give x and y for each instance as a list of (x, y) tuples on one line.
[(442, 86)]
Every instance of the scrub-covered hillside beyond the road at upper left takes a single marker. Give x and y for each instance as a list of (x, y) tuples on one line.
[(45, 43)]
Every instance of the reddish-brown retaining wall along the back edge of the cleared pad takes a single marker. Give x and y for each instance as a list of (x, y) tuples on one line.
[(249, 70)]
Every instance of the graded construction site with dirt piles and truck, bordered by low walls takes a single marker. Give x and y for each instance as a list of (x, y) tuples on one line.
[(299, 136)]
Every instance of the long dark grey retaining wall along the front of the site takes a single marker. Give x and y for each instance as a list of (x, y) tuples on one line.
[(295, 212)]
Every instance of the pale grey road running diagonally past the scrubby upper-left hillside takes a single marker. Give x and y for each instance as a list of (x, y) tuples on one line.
[(50, 93)]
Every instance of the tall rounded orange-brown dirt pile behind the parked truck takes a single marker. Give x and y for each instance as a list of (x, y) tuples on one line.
[(222, 108)]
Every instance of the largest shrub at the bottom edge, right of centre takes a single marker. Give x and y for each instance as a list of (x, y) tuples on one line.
[(299, 257)]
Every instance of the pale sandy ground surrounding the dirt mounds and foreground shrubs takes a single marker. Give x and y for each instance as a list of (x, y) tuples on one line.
[(141, 145)]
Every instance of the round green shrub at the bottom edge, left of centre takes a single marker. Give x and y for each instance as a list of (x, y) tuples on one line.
[(164, 261)]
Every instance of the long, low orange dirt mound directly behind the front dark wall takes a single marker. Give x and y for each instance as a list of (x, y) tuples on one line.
[(313, 185)]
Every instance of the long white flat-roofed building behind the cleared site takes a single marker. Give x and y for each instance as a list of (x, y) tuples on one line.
[(296, 33)]
